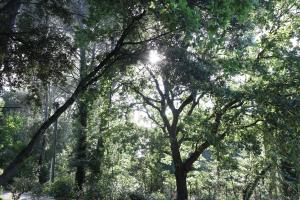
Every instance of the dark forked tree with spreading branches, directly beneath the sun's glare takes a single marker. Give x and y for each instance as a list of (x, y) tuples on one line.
[(179, 85)]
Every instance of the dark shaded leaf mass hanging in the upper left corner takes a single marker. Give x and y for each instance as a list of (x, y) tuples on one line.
[(38, 47)]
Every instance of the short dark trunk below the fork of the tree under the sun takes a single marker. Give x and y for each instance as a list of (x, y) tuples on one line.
[(182, 192)]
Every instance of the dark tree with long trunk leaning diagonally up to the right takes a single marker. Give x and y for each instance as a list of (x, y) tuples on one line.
[(124, 32)]
